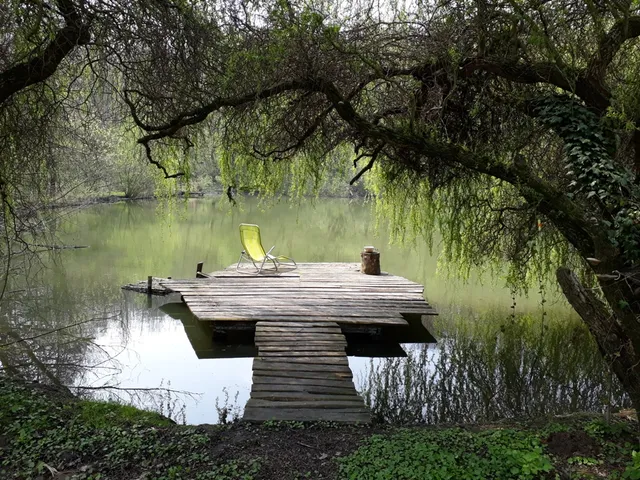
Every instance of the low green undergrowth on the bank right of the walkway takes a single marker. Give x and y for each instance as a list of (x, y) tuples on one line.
[(581, 448)]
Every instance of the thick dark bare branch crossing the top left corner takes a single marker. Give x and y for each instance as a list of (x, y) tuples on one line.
[(44, 63)]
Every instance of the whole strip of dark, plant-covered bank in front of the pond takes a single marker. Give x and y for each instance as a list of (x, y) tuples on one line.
[(47, 435)]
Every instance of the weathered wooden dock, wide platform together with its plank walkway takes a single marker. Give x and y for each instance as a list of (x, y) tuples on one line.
[(301, 371)]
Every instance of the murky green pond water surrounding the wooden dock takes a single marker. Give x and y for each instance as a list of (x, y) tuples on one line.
[(497, 356)]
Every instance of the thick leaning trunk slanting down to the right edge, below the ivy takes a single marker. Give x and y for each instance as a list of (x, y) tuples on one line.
[(615, 345)]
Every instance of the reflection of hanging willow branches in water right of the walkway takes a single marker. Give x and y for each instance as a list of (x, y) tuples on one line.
[(489, 366)]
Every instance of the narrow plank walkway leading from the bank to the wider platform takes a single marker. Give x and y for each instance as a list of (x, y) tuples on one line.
[(302, 373)]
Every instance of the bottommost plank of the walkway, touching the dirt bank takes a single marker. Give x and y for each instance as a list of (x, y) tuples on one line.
[(343, 415)]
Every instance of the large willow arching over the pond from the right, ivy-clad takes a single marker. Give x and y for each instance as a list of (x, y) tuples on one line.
[(510, 126)]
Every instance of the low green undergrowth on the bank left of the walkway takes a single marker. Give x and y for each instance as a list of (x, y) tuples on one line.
[(45, 436)]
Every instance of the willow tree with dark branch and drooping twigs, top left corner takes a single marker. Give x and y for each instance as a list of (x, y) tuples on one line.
[(58, 104)]
